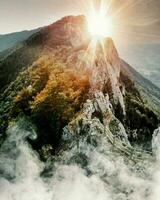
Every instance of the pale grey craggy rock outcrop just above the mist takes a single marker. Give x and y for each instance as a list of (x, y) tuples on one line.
[(96, 118)]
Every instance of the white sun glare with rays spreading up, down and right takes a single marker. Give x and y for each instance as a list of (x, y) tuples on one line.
[(100, 25)]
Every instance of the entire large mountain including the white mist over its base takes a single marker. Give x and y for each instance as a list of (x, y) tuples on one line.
[(76, 121)]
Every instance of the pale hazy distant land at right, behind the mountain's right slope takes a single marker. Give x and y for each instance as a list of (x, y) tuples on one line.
[(145, 58)]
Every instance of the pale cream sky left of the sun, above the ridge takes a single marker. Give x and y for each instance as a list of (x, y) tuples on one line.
[(16, 15)]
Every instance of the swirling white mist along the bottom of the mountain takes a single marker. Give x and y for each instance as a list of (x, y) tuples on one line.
[(86, 171)]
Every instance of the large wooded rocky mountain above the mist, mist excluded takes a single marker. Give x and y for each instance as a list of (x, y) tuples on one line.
[(68, 88)]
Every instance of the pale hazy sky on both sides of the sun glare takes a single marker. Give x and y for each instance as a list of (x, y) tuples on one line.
[(132, 18)]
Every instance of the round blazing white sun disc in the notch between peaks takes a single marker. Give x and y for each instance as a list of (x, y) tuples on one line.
[(99, 24)]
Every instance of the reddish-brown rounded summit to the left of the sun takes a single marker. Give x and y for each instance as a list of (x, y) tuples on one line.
[(70, 30)]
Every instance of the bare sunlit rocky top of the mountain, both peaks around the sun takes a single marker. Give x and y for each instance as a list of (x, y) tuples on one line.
[(69, 39)]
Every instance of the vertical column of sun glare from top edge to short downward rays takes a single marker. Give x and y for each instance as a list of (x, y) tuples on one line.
[(100, 27)]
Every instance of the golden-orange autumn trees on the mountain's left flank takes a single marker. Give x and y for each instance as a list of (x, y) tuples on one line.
[(55, 94)]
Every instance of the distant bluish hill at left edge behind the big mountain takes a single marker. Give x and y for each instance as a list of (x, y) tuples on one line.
[(9, 40)]
